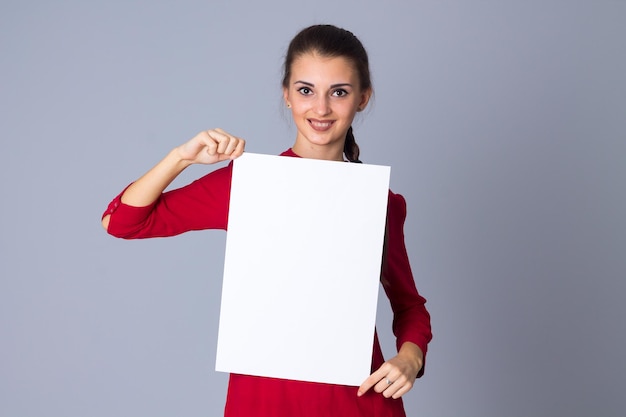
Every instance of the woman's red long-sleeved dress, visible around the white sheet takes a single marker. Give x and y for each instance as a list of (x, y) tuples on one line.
[(203, 204)]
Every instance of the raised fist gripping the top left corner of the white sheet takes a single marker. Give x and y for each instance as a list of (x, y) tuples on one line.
[(211, 146)]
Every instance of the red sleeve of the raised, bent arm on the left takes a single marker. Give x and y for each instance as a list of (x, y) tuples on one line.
[(203, 204)]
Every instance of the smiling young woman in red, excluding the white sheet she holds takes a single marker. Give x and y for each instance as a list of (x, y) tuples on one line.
[(326, 82)]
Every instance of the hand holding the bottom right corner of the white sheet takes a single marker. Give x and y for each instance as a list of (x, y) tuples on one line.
[(396, 376)]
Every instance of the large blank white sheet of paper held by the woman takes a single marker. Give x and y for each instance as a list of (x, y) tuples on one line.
[(302, 268)]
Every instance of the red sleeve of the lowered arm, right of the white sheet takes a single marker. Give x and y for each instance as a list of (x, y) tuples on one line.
[(411, 322)]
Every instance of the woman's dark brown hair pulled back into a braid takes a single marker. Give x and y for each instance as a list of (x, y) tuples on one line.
[(331, 41)]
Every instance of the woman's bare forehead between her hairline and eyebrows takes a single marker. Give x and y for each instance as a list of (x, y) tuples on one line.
[(318, 69)]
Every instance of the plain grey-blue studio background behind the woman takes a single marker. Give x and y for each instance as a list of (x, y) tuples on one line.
[(504, 123)]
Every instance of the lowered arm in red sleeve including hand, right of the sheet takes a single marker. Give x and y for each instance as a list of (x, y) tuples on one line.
[(411, 323)]
